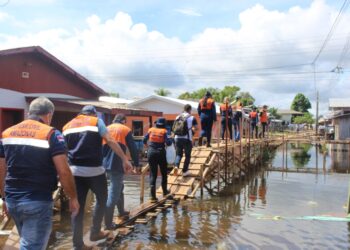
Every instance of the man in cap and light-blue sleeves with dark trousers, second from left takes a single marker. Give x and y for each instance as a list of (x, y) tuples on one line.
[(83, 136)]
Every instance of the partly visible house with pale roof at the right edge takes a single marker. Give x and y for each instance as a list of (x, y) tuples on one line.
[(340, 116)]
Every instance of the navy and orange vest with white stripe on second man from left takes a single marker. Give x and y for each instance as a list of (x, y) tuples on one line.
[(83, 141)]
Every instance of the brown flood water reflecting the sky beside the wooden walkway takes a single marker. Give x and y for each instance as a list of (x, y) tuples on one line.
[(271, 210)]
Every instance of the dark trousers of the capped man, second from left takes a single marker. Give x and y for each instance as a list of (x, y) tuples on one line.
[(98, 185)]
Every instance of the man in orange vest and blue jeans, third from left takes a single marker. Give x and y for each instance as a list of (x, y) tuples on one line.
[(114, 167)]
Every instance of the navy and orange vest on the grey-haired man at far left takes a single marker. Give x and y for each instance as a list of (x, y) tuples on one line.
[(31, 174)]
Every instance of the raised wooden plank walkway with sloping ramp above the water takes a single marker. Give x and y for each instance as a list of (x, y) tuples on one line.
[(205, 164)]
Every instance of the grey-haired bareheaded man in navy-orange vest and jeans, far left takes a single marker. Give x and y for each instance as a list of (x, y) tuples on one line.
[(32, 155)]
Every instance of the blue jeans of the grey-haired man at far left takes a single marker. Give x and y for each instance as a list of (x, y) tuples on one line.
[(33, 220)]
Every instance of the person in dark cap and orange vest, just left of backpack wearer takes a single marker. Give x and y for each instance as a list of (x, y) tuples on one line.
[(156, 154)]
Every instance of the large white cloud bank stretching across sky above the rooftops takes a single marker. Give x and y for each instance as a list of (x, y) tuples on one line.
[(126, 57)]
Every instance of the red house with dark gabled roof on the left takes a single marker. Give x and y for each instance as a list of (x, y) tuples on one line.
[(26, 73)]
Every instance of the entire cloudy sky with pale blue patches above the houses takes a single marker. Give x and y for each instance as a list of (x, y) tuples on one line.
[(270, 48)]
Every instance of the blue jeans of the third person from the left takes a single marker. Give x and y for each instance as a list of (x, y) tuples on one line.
[(115, 197)]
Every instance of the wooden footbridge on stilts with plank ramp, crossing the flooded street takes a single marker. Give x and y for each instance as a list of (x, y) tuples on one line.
[(211, 169)]
